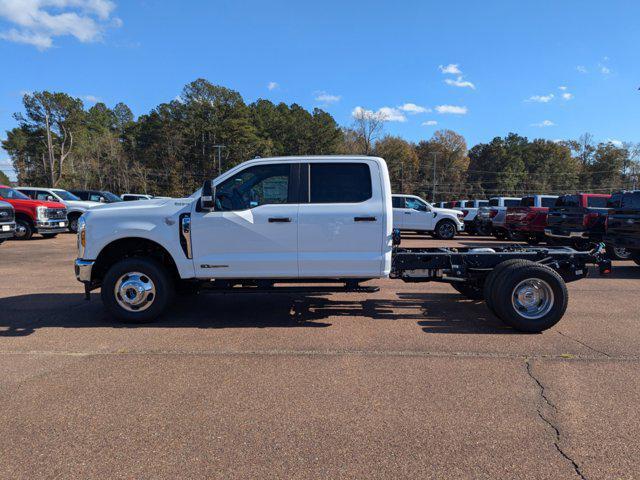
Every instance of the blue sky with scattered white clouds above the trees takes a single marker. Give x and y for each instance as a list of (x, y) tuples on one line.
[(539, 68)]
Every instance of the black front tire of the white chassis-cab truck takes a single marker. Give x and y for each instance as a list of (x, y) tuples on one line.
[(152, 272)]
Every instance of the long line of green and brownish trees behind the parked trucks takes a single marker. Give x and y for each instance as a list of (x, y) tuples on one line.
[(208, 129)]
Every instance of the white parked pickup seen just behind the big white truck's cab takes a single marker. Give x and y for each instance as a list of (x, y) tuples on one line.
[(414, 213)]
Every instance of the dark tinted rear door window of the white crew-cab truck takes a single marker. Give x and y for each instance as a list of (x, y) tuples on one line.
[(339, 182)]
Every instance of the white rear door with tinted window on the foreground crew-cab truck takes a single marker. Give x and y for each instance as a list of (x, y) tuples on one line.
[(341, 224)]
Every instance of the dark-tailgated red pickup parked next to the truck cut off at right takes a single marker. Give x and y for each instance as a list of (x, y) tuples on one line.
[(577, 220)]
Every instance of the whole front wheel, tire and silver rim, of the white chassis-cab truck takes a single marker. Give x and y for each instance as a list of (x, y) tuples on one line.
[(137, 290)]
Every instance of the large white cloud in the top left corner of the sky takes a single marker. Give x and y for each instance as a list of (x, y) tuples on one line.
[(38, 22)]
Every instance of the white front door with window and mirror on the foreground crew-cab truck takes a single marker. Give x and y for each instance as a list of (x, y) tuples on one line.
[(253, 231)]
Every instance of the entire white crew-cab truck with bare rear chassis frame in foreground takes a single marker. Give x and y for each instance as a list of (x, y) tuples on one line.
[(269, 224)]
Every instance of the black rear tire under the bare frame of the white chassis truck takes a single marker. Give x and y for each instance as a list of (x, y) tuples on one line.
[(551, 305)]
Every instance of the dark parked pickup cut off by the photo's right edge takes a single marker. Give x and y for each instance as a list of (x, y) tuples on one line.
[(623, 223)]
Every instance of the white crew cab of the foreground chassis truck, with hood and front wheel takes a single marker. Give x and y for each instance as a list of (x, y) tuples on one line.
[(289, 218)]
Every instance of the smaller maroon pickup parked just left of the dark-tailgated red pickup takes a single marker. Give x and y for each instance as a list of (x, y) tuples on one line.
[(528, 220)]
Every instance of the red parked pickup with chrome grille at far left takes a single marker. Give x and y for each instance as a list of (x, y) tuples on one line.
[(35, 216)]
